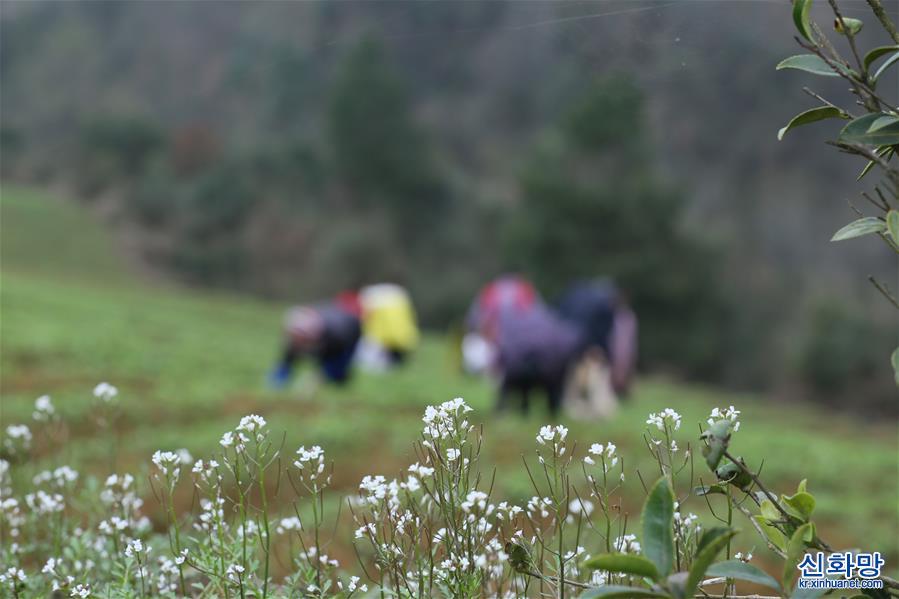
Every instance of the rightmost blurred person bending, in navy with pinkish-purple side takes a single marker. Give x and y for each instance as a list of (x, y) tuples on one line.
[(600, 309)]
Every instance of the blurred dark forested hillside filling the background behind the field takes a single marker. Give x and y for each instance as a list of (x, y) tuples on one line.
[(293, 149)]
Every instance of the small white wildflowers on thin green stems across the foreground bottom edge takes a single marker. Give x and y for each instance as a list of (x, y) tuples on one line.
[(432, 530)]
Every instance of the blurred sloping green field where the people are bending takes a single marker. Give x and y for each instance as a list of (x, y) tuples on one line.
[(189, 364)]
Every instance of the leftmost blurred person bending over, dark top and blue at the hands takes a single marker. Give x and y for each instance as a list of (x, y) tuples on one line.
[(329, 331)]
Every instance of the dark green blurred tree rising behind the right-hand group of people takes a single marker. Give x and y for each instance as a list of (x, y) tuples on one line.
[(592, 206)]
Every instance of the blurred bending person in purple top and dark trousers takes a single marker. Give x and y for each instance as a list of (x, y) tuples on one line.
[(536, 351)]
